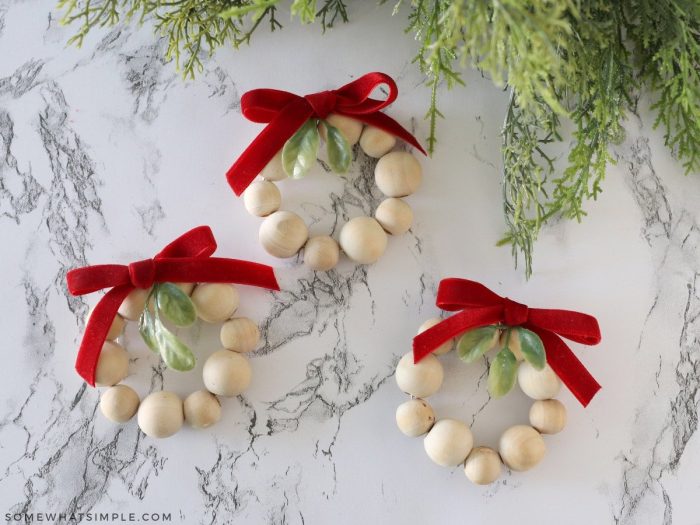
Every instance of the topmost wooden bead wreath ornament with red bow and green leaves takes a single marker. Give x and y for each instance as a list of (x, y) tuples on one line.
[(289, 145)]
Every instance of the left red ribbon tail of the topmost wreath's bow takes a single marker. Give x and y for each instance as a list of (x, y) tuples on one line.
[(266, 145)]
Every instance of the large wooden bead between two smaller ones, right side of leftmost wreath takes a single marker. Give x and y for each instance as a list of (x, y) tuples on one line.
[(227, 373)]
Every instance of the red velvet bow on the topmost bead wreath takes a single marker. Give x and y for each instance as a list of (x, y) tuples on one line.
[(284, 113)]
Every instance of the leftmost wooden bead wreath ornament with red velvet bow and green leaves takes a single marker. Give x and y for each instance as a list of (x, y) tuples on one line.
[(145, 290)]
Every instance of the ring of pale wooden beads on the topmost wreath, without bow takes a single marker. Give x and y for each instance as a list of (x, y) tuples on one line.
[(363, 239)]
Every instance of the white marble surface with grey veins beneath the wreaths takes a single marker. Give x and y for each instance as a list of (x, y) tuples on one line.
[(106, 155)]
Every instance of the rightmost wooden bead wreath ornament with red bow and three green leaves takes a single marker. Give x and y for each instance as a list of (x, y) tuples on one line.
[(485, 321)]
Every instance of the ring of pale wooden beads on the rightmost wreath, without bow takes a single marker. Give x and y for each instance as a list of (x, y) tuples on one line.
[(449, 442)]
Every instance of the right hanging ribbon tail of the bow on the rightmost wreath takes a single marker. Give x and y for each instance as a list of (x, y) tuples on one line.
[(567, 366)]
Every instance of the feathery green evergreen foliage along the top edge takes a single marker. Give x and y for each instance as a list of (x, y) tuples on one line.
[(566, 63)]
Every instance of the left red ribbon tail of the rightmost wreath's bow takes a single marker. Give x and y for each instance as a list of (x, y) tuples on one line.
[(425, 342)]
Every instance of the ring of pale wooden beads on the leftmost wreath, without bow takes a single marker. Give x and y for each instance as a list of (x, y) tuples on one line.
[(226, 373)]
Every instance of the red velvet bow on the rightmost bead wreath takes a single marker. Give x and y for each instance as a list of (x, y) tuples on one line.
[(481, 307)]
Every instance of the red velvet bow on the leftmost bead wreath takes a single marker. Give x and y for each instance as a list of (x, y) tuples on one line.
[(186, 259)]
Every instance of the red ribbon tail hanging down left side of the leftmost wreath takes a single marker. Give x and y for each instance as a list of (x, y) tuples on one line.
[(96, 332)]
